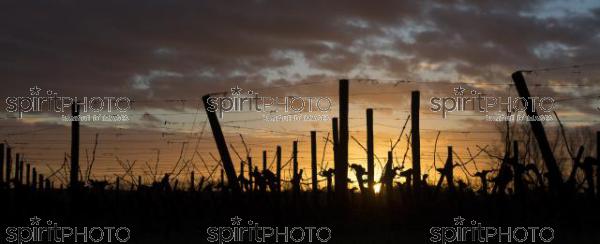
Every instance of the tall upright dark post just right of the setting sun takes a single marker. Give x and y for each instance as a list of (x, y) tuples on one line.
[(415, 139)]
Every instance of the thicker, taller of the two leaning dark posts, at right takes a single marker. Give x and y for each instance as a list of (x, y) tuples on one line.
[(554, 176)]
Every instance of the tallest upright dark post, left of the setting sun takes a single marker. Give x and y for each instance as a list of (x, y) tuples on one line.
[(341, 165)]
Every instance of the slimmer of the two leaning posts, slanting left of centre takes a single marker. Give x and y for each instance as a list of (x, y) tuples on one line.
[(221, 145)]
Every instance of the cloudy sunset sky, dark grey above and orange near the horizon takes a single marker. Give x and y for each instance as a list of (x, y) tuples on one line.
[(164, 55)]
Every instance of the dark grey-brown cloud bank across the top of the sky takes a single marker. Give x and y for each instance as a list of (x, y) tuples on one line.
[(166, 49)]
